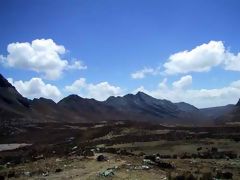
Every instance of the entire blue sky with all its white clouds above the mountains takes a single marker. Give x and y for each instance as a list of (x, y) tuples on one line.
[(177, 50)]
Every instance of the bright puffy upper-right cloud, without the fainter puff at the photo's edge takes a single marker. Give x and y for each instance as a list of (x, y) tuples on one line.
[(200, 59)]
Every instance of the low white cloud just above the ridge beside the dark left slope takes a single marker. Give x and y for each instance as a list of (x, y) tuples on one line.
[(36, 88)]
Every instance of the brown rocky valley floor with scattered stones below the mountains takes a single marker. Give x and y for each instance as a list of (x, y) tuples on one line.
[(120, 151)]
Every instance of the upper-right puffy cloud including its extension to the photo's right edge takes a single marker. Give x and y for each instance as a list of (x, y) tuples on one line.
[(202, 58)]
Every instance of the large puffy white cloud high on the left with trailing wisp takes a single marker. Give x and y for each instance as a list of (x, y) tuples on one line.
[(41, 55)]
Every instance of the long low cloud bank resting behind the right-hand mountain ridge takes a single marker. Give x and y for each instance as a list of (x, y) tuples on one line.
[(201, 98)]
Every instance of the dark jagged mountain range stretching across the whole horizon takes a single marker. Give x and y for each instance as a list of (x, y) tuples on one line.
[(138, 107)]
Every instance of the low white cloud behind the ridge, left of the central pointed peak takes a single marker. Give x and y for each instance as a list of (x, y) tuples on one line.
[(100, 91)]
